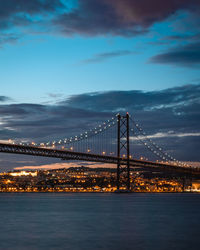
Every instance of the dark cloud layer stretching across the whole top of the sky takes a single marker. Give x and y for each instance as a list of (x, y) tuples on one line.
[(89, 17)]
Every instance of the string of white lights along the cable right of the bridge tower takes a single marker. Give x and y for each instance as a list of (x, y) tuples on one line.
[(161, 154)]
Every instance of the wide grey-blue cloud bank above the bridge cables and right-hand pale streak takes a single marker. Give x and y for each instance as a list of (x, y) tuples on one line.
[(174, 106)]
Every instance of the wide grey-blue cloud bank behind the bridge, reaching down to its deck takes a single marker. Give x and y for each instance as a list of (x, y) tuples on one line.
[(169, 116)]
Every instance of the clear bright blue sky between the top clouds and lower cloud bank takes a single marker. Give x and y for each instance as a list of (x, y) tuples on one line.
[(42, 60)]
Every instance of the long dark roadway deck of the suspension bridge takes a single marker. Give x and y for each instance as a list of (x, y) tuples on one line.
[(70, 155)]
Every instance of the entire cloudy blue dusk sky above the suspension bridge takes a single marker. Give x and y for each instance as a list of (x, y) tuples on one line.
[(67, 63)]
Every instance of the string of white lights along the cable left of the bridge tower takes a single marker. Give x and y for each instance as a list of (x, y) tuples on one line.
[(85, 135)]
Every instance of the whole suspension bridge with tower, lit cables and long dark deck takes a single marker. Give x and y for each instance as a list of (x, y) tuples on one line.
[(111, 142)]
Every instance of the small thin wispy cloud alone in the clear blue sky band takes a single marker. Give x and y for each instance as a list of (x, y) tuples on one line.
[(106, 56)]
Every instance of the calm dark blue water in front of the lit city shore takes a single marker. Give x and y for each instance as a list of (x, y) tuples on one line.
[(100, 221)]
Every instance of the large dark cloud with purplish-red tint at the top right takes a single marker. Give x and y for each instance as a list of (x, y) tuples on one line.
[(119, 17)]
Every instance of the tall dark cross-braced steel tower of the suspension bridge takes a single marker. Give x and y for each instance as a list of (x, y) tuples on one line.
[(123, 150)]
